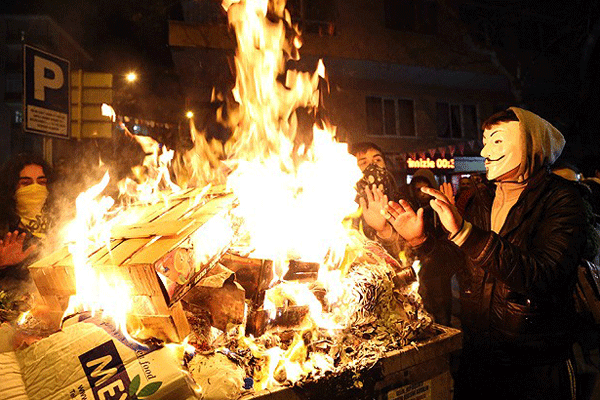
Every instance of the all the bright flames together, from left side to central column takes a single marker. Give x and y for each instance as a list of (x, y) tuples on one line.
[(293, 194)]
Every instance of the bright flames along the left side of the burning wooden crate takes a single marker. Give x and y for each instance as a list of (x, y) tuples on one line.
[(101, 289)]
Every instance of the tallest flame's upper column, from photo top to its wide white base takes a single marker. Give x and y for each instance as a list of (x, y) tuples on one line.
[(292, 199)]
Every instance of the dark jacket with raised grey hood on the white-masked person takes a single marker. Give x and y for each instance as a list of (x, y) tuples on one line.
[(516, 284)]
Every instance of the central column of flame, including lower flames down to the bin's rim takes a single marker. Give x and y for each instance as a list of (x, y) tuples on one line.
[(293, 197)]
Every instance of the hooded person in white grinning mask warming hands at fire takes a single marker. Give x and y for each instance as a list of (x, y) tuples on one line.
[(522, 249)]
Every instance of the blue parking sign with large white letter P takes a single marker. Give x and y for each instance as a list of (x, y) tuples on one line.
[(46, 101)]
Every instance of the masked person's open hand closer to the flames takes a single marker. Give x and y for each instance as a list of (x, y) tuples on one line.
[(408, 223)]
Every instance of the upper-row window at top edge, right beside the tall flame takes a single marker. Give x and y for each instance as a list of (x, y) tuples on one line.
[(313, 16)]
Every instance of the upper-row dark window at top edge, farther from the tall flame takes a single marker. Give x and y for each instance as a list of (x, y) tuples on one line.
[(418, 16)]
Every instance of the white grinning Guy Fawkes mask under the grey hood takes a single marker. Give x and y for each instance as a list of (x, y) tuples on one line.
[(502, 149)]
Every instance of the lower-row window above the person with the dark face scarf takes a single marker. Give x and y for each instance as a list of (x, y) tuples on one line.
[(390, 117)]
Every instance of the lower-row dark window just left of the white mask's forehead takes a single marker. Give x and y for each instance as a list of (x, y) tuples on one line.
[(456, 121)]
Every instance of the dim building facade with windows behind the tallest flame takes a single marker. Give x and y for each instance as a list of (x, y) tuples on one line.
[(399, 74)]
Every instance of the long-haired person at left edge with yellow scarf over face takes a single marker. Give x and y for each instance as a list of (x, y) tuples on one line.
[(23, 215)]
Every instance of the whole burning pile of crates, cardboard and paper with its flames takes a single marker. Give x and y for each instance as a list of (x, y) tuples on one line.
[(256, 279)]
